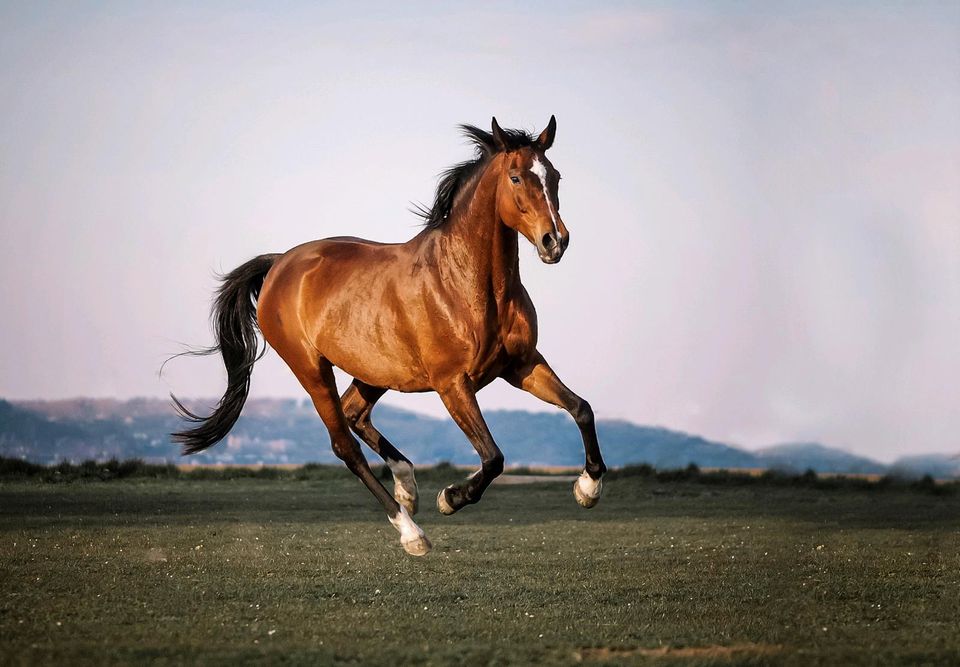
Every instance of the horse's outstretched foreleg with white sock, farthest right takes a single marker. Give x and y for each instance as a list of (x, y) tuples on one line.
[(537, 378)]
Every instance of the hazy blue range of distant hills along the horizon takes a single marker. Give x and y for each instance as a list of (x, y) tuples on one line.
[(289, 431)]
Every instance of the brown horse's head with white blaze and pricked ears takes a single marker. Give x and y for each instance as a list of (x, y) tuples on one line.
[(527, 193)]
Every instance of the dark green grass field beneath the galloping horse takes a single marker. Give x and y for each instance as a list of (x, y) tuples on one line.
[(310, 572)]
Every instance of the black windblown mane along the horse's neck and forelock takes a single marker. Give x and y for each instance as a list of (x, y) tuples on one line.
[(453, 179)]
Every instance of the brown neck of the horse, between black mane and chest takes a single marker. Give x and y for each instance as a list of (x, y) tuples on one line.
[(482, 249)]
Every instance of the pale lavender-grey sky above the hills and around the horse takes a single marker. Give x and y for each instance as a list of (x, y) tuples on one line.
[(763, 197)]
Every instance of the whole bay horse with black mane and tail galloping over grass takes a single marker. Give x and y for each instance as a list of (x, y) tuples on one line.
[(443, 312)]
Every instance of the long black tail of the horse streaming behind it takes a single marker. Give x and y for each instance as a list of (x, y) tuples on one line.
[(235, 329)]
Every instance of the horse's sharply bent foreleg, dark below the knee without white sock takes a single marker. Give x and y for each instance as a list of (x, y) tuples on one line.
[(460, 400)]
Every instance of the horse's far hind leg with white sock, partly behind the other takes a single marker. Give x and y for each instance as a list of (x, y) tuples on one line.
[(358, 401)]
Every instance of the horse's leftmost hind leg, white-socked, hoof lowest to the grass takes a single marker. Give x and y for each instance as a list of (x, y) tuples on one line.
[(323, 390)]
